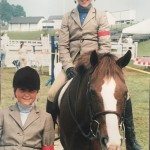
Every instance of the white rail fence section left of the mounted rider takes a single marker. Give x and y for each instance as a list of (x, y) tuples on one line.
[(38, 51)]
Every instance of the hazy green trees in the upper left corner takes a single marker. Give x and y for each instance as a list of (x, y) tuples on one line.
[(8, 11)]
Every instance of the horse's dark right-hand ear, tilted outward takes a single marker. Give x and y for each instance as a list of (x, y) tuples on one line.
[(124, 60)]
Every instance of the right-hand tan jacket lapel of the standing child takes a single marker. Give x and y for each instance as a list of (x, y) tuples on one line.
[(34, 115)]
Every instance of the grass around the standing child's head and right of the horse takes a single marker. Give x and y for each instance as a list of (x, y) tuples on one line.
[(138, 85)]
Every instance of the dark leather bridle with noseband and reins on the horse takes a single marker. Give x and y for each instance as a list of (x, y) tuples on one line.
[(93, 133)]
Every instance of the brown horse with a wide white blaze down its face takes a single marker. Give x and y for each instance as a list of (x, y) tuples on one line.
[(92, 107)]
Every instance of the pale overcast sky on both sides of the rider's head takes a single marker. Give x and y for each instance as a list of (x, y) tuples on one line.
[(47, 8)]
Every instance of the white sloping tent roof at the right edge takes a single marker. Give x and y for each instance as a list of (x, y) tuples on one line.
[(139, 28)]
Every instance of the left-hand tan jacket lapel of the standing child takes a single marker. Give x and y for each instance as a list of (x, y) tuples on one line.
[(15, 114)]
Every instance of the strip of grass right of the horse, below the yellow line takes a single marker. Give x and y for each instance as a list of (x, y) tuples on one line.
[(139, 87)]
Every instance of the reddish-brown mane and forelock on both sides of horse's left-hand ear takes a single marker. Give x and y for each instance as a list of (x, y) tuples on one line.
[(106, 66)]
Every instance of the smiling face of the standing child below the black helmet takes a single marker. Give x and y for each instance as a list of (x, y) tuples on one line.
[(25, 97)]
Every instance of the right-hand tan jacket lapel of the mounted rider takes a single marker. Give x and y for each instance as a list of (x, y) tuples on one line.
[(90, 15)]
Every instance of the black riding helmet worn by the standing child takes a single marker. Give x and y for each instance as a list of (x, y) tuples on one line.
[(26, 78)]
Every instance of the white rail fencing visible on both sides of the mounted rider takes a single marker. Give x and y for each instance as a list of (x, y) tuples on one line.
[(39, 51)]
